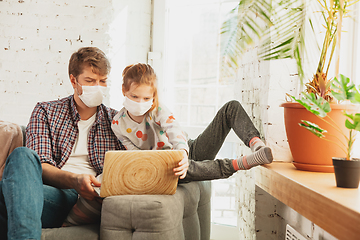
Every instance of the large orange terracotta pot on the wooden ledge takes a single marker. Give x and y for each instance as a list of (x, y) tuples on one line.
[(310, 152)]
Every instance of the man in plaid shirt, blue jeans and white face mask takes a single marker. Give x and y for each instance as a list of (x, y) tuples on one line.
[(66, 143)]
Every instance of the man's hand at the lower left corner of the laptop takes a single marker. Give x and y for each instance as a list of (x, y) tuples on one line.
[(85, 184)]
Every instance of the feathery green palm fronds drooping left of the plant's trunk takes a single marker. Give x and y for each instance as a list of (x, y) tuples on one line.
[(276, 25)]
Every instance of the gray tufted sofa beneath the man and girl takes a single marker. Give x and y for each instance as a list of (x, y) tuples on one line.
[(184, 215)]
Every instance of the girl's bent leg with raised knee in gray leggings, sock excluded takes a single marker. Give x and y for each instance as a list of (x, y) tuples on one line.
[(230, 116)]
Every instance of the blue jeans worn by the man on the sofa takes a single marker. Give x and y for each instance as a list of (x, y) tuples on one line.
[(26, 205)]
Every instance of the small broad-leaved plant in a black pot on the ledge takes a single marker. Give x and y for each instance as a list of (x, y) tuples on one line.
[(347, 169)]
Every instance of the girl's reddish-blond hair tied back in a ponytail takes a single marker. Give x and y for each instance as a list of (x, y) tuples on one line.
[(141, 73)]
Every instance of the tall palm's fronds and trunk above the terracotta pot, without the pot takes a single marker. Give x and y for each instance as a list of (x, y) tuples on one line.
[(278, 28)]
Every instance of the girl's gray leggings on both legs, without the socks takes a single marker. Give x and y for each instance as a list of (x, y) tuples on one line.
[(203, 149)]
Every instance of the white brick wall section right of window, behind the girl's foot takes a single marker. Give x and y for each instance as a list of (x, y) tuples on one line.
[(263, 86)]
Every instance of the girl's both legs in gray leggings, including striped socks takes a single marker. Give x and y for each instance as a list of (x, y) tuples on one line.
[(205, 147)]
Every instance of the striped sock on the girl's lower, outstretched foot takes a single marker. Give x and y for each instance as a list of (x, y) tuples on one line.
[(261, 156)]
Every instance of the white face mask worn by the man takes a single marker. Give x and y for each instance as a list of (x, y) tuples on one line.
[(92, 96)]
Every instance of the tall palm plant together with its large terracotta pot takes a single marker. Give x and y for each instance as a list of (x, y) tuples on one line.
[(288, 42)]
